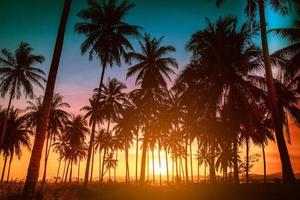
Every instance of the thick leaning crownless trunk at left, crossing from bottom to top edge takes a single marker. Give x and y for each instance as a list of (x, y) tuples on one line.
[(34, 164)]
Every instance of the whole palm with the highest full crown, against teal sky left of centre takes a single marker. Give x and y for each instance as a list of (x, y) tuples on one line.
[(107, 38)]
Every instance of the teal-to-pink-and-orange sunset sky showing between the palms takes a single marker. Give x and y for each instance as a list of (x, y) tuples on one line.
[(36, 22)]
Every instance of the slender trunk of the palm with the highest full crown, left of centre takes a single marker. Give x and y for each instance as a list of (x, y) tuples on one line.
[(93, 135)]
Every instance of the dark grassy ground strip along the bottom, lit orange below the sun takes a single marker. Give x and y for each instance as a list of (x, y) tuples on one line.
[(120, 191)]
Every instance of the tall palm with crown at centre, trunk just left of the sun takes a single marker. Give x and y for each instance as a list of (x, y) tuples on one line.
[(152, 69)]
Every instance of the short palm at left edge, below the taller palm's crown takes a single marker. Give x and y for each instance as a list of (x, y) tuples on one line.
[(16, 137)]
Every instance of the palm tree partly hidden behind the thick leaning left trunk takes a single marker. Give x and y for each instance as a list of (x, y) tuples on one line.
[(57, 118)]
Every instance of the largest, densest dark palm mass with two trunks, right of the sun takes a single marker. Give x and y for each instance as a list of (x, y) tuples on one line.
[(230, 92)]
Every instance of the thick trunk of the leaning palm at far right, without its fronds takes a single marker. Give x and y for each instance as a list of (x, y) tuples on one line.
[(287, 170)]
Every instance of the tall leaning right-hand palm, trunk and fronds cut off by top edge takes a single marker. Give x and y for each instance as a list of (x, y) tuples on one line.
[(283, 7)]
